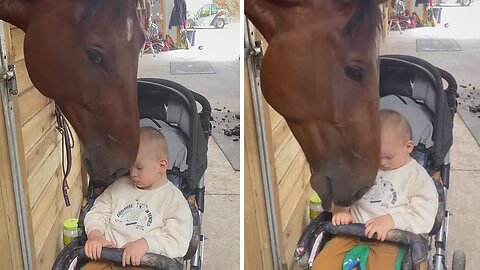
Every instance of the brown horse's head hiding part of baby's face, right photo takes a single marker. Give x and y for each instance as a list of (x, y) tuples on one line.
[(320, 72)]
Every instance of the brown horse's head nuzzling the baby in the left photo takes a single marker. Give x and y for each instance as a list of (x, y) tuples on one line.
[(84, 55)]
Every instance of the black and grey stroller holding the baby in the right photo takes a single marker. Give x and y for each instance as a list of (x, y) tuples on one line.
[(415, 89)]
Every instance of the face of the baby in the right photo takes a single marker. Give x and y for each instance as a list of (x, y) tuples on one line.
[(394, 152)]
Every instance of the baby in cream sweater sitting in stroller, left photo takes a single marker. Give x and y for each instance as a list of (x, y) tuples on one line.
[(141, 213)]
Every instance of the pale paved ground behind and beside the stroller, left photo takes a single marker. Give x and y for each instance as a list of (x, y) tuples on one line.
[(221, 48)]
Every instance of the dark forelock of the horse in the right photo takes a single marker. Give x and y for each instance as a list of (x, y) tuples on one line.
[(368, 16)]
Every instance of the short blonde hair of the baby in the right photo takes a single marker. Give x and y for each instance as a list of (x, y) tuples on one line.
[(392, 121)]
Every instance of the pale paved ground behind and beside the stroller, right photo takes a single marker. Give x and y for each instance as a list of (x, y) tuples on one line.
[(463, 25)]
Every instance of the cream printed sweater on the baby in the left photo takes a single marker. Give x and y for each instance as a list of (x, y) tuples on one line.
[(124, 213)]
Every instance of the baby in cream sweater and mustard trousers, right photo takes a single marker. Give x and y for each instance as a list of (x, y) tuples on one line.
[(403, 197)]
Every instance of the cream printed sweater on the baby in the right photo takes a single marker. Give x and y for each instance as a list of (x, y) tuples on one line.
[(407, 194)]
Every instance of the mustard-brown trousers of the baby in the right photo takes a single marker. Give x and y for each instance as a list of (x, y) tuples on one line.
[(382, 254)]
